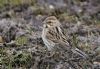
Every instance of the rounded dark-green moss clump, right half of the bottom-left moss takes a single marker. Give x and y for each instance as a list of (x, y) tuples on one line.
[(23, 58)]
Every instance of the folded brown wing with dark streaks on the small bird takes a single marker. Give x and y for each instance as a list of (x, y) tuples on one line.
[(57, 35)]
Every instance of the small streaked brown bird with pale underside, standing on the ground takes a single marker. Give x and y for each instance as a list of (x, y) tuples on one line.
[(54, 36)]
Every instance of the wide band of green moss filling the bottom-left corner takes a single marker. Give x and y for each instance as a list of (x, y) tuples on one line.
[(18, 59)]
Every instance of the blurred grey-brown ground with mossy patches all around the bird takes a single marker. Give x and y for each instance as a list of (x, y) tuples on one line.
[(21, 46)]
